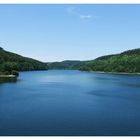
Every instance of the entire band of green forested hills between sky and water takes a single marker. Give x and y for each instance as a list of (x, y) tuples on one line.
[(128, 62)]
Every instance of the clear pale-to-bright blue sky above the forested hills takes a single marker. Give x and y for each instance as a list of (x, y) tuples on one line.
[(69, 32)]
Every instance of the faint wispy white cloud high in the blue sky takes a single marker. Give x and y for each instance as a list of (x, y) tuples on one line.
[(73, 11)]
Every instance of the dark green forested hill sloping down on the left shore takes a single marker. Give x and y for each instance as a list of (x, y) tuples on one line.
[(10, 61)]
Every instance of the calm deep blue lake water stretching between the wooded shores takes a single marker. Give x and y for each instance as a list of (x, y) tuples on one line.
[(65, 102)]
